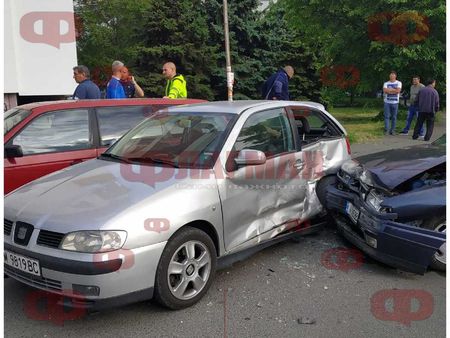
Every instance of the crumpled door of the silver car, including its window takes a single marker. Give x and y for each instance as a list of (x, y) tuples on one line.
[(258, 200)]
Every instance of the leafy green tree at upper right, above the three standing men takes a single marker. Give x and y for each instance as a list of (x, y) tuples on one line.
[(337, 30)]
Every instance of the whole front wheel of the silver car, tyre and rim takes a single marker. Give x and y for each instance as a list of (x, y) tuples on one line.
[(186, 269)]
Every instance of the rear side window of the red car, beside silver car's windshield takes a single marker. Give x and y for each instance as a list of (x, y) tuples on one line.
[(116, 121)]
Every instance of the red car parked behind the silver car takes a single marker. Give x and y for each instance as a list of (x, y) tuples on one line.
[(44, 137)]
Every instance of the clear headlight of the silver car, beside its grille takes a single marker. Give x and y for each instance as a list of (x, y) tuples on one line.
[(94, 241)]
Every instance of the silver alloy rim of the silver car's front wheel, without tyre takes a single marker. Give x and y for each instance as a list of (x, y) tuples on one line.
[(189, 270)]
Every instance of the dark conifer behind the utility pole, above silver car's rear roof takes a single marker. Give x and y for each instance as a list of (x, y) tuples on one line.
[(261, 42)]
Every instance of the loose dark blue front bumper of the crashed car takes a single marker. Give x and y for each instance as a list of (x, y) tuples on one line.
[(378, 235)]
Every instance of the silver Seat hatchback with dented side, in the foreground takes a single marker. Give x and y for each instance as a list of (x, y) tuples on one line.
[(186, 187)]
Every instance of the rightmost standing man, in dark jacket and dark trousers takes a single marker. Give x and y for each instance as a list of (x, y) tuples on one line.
[(427, 101)]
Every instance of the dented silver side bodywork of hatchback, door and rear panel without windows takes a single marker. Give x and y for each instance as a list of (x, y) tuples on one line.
[(281, 192)]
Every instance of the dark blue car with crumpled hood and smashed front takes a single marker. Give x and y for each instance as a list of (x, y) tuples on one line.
[(391, 205)]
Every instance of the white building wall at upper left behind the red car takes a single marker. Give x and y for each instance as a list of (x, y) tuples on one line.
[(40, 50)]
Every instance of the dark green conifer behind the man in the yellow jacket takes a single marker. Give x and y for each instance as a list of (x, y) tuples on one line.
[(177, 33)]
